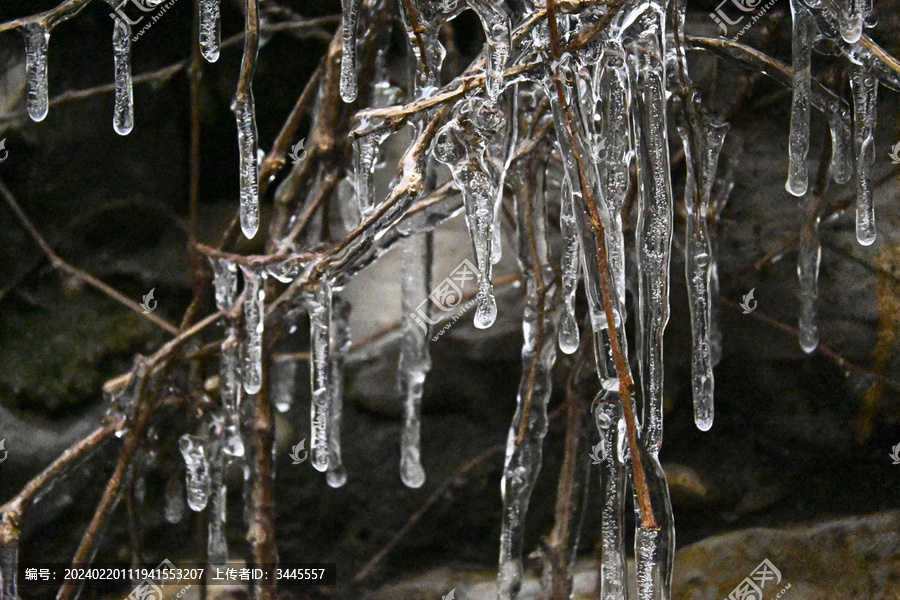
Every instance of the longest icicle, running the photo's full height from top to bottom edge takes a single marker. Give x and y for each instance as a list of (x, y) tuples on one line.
[(654, 548)]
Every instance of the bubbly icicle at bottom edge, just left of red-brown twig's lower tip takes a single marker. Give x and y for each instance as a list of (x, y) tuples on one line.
[(613, 582)]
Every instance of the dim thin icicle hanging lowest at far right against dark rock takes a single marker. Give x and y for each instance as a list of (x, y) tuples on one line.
[(808, 273)]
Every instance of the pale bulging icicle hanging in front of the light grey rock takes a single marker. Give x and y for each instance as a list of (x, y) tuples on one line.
[(415, 361)]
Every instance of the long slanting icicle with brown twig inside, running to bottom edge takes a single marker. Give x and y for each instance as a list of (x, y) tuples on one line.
[(529, 424)]
